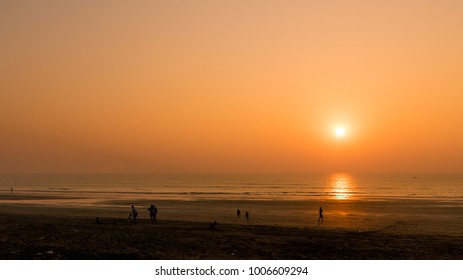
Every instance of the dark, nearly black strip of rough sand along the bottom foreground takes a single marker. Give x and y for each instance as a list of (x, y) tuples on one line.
[(45, 237)]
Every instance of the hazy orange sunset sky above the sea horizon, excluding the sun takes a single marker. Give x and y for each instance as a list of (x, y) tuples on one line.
[(231, 86)]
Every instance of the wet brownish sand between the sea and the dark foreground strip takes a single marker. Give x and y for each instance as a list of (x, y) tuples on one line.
[(391, 216)]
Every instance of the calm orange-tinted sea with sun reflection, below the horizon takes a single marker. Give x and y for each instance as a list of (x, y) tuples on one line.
[(339, 186)]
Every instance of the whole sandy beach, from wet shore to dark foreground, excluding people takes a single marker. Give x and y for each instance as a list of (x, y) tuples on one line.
[(50, 232)]
